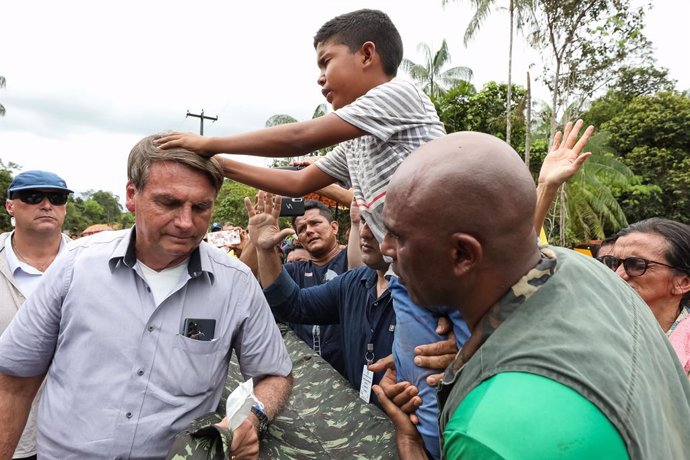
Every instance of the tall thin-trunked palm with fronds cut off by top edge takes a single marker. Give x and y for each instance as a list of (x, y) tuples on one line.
[(517, 9)]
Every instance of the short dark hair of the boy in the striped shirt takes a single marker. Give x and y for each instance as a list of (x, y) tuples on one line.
[(361, 26)]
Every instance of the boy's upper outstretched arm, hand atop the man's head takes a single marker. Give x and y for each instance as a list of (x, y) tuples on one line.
[(289, 140)]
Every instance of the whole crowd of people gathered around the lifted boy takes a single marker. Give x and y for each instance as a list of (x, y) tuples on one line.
[(442, 310)]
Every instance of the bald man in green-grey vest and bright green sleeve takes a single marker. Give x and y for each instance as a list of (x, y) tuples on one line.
[(564, 361)]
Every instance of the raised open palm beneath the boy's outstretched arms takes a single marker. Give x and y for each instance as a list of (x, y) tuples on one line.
[(263, 226)]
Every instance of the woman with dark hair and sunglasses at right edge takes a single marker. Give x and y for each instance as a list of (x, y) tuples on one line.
[(653, 257)]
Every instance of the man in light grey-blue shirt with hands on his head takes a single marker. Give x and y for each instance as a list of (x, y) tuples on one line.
[(134, 328)]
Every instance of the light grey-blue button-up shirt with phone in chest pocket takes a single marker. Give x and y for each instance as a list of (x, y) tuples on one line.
[(122, 378)]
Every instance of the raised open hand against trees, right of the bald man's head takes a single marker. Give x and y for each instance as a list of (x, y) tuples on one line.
[(565, 157)]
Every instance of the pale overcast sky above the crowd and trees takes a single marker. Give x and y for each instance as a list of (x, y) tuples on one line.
[(86, 80)]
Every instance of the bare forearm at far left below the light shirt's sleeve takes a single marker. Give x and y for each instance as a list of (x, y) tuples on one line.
[(16, 396)]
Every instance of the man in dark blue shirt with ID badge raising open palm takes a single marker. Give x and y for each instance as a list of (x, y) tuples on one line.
[(359, 299)]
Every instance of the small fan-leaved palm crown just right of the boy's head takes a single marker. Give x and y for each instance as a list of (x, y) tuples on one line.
[(434, 80)]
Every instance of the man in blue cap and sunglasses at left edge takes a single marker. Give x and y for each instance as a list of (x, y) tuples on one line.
[(36, 202)]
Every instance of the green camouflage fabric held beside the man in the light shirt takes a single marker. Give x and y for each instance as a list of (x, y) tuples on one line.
[(323, 419)]
